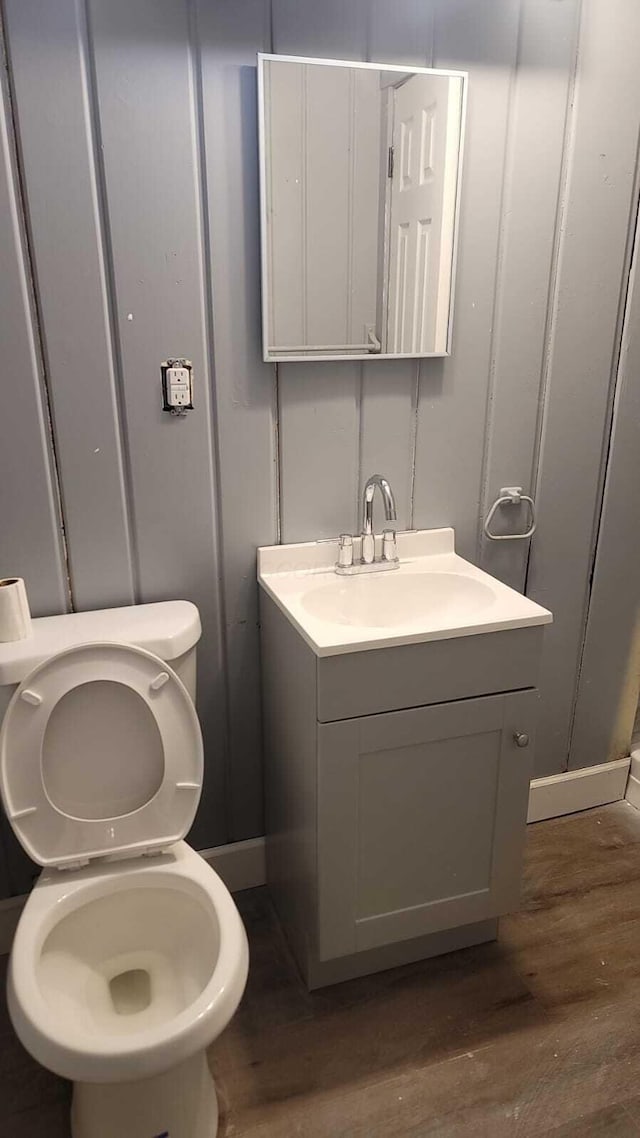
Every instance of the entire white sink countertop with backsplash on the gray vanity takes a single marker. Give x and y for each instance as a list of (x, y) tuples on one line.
[(433, 596)]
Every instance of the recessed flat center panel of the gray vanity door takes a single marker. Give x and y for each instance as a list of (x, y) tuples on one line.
[(433, 806)]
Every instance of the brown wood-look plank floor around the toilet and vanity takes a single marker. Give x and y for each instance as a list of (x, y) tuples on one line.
[(536, 1035)]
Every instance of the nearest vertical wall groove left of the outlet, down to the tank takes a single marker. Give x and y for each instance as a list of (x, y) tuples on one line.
[(100, 187)]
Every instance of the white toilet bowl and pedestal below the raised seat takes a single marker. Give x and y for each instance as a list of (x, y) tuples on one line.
[(125, 975)]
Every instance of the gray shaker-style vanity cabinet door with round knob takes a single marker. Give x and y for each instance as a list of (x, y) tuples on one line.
[(422, 819)]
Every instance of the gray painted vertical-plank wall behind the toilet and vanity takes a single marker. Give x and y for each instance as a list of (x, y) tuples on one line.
[(136, 127)]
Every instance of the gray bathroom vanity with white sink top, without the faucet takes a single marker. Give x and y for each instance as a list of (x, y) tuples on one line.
[(400, 719)]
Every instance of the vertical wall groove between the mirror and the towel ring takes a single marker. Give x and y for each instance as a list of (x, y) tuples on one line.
[(507, 178)]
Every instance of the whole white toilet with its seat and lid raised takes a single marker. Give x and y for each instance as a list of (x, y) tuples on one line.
[(130, 956)]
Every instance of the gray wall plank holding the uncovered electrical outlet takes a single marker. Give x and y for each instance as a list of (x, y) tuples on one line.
[(149, 130)]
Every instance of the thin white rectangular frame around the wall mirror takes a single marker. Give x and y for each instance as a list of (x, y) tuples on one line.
[(275, 357)]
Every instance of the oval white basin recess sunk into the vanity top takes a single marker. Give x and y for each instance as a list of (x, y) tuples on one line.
[(390, 600)]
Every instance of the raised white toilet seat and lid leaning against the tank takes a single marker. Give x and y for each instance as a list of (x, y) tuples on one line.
[(101, 754)]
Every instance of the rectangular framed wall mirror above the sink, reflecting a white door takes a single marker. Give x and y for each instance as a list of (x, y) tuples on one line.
[(360, 180)]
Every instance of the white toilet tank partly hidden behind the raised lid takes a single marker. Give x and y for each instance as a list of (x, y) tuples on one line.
[(170, 630)]
